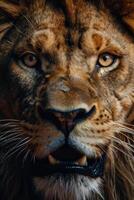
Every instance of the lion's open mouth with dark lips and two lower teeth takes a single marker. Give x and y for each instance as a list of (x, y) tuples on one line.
[(67, 160)]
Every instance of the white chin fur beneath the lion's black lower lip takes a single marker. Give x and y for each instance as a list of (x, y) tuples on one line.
[(76, 187)]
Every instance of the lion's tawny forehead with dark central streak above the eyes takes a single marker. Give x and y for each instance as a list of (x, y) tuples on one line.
[(93, 32)]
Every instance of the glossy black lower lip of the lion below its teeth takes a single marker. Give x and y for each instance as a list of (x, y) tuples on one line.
[(94, 171)]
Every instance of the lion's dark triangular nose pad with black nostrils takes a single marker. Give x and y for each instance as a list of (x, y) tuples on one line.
[(66, 121)]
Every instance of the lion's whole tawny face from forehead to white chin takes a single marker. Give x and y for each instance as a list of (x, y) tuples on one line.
[(68, 93)]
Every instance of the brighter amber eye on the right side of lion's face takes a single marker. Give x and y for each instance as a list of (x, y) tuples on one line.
[(106, 60)]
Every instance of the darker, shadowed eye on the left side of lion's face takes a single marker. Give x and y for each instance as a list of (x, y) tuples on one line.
[(29, 60)]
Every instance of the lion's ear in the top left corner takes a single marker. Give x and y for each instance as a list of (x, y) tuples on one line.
[(9, 10)]
